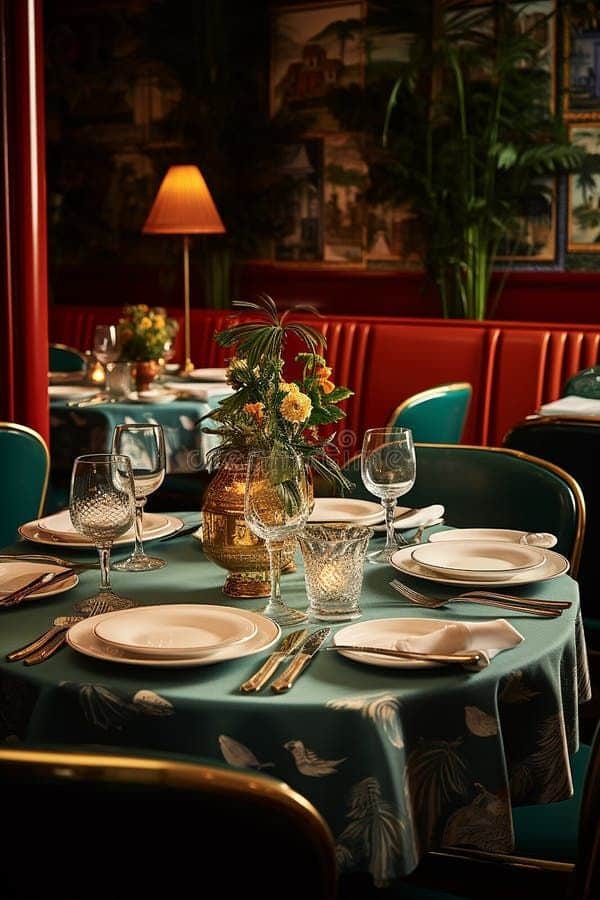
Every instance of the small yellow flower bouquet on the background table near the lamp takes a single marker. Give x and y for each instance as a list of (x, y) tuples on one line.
[(145, 333)]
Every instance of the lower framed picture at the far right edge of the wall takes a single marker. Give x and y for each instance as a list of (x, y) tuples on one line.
[(583, 212)]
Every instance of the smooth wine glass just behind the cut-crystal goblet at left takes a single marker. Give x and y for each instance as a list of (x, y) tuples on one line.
[(144, 444)]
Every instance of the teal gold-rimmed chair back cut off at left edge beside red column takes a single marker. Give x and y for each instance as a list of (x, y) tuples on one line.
[(24, 468)]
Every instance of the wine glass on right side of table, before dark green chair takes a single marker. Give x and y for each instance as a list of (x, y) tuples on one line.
[(388, 467)]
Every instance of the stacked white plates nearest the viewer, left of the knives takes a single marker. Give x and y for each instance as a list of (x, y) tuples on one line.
[(174, 635)]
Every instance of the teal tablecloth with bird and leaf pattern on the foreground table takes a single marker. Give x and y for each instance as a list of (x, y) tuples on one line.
[(399, 761)]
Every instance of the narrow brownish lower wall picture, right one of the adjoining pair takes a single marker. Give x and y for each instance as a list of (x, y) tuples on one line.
[(345, 182)]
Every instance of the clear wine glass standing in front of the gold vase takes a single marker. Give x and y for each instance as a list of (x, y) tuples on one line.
[(276, 506)]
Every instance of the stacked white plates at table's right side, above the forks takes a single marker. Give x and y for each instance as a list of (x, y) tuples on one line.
[(480, 562)]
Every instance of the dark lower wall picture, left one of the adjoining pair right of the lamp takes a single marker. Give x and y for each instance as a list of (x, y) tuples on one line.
[(300, 230)]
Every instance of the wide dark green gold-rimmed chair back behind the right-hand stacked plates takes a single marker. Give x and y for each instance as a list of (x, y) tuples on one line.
[(494, 487)]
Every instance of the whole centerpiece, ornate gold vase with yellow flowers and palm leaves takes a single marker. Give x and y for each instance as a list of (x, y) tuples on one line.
[(267, 410)]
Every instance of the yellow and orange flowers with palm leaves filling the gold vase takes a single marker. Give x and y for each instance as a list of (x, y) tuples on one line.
[(267, 411)]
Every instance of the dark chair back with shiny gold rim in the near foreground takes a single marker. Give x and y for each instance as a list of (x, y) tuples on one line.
[(157, 827)]
